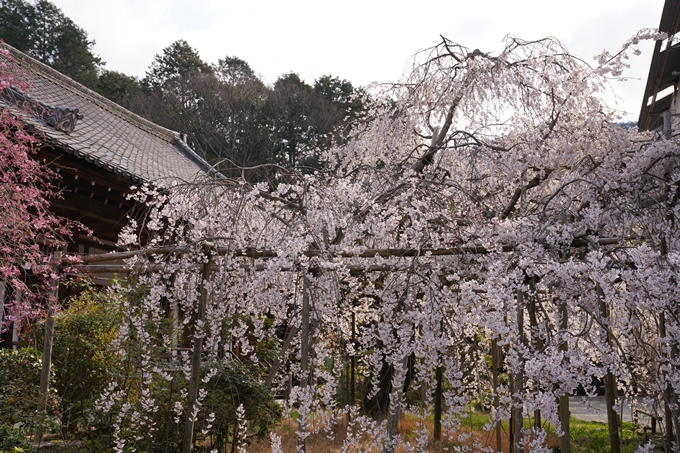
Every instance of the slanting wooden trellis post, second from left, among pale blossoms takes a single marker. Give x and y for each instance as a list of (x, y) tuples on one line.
[(196, 360)]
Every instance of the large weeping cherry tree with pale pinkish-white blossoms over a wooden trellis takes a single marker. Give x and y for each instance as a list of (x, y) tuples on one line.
[(489, 205)]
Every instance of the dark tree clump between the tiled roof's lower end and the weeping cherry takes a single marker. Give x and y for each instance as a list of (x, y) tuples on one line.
[(233, 120)]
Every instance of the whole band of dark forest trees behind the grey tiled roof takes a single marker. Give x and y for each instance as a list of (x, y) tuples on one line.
[(228, 115)]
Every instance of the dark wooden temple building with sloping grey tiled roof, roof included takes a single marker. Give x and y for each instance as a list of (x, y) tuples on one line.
[(100, 150)]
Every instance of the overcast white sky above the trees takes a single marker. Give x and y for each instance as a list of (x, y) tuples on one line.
[(358, 40)]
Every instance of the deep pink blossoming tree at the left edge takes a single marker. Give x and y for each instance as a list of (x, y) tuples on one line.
[(28, 230)]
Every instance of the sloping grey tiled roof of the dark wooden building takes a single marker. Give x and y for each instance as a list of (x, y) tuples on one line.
[(109, 135)]
